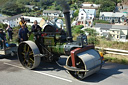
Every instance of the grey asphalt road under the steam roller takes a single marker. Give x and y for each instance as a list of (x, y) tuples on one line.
[(12, 73)]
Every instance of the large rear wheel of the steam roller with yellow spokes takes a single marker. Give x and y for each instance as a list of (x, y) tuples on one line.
[(26, 53)]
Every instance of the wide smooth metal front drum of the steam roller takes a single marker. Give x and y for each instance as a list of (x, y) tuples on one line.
[(89, 62)]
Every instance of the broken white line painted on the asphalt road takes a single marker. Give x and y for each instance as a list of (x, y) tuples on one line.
[(41, 73)]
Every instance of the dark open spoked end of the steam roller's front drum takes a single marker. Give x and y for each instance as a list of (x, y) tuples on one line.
[(79, 64)]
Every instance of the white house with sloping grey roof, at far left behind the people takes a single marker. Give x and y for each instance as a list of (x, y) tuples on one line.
[(12, 21)]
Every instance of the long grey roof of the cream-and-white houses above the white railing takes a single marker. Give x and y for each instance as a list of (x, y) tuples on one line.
[(111, 26)]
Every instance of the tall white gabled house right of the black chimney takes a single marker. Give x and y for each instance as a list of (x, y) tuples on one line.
[(86, 16)]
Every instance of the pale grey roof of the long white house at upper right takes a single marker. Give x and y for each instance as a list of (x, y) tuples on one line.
[(112, 14)]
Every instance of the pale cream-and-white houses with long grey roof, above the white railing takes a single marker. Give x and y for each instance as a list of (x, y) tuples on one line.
[(117, 32)]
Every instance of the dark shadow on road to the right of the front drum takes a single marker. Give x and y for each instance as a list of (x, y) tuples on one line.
[(107, 70)]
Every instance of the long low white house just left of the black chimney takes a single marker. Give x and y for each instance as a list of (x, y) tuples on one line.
[(51, 13)]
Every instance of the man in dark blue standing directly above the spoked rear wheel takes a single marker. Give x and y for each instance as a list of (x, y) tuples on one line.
[(23, 33)]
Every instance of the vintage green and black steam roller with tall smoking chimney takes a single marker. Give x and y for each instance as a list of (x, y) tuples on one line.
[(51, 43)]
